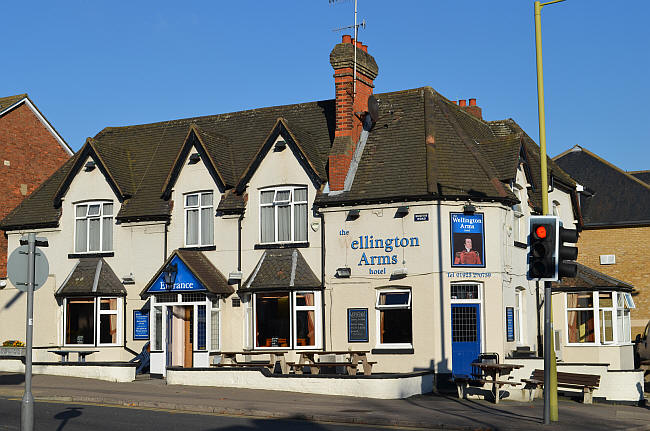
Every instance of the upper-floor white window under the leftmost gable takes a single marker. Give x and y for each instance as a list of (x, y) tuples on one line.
[(93, 227)]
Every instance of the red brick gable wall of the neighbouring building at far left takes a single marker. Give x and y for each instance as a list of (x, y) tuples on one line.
[(28, 155)]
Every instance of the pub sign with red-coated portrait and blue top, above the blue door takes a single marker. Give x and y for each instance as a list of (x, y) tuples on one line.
[(467, 240)]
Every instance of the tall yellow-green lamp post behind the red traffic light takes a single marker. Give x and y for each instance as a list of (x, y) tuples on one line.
[(550, 371)]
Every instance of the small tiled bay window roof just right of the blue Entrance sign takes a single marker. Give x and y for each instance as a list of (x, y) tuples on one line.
[(281, 269)]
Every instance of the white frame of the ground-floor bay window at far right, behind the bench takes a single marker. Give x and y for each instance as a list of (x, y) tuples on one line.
[(597, 309)]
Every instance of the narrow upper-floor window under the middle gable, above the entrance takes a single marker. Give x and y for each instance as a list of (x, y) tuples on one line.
[(199, 225)]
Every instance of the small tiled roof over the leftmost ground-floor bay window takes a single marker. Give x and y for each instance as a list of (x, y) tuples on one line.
[(91, 277)]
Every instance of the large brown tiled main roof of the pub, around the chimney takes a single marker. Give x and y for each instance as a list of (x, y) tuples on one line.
[(422, 147)]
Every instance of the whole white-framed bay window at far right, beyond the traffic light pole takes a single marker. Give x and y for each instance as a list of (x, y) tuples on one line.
[(599, 317)]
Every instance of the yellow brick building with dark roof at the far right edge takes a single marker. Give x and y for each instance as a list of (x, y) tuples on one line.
[(616, 212)]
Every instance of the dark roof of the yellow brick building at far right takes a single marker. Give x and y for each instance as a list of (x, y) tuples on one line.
[(616, 198)]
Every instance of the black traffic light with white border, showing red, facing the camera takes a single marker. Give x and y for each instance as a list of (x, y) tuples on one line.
[(542, 248)]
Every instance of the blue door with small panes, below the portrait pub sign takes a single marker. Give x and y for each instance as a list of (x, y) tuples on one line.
[(465, 337)]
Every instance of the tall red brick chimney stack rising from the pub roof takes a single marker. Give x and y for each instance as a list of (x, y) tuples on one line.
[(348, 125)]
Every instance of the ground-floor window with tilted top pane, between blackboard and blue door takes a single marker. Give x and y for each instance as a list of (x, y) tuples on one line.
[(394, 318)]
